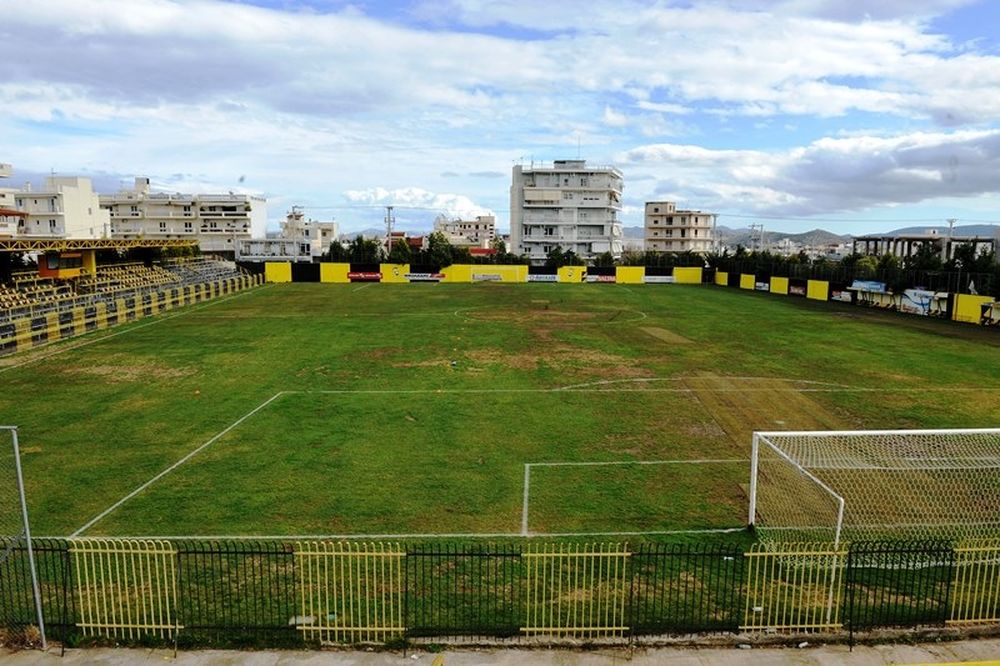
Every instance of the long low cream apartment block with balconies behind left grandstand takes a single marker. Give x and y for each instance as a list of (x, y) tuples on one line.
[(216, 221)]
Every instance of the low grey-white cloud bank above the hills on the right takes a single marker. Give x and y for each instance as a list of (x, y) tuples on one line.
[(830, 175)]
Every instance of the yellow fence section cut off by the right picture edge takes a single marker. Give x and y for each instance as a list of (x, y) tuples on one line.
[(975, 594)]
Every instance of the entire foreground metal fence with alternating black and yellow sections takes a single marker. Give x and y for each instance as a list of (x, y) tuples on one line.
[(236, 593)]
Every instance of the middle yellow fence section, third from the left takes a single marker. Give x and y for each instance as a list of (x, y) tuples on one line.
[(576, 590)]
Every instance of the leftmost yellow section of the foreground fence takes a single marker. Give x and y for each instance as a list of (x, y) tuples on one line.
[(127, 588)]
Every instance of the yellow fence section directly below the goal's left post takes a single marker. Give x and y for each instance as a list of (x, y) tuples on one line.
[(795, 588)]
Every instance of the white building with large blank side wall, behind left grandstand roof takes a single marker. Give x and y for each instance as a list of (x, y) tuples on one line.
[(67, 207)]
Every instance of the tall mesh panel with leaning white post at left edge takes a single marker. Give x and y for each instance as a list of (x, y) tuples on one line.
[(20, 582)]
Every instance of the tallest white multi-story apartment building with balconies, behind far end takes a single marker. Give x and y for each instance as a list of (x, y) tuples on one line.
[(567, 205)]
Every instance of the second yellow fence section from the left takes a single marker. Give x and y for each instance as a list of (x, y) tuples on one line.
[(350, 592)]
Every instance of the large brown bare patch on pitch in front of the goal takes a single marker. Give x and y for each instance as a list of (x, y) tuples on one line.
[(742, 405)]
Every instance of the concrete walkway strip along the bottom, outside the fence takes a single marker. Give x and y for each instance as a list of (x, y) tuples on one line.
[(976, 651)]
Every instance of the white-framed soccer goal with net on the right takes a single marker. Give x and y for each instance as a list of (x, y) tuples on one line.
[(875, 484)]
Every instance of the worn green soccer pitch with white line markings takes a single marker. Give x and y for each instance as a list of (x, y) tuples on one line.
[(483, 409)]
